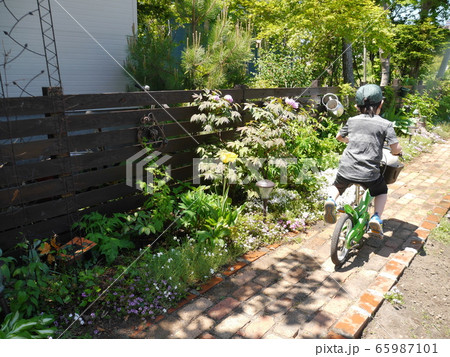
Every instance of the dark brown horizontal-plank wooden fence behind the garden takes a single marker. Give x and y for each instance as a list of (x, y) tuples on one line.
[(64, 156)]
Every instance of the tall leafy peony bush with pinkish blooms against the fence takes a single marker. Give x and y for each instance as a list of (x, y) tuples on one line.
[(280, 142)]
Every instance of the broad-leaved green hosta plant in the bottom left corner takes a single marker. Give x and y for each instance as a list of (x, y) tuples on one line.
[(14, 327)]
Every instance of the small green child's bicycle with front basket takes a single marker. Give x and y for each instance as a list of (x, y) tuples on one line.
[(354, 223)]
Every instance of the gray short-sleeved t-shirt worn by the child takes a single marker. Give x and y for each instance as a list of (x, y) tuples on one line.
[(361, 158)]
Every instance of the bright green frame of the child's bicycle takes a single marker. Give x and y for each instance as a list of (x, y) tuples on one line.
[(360, 217)]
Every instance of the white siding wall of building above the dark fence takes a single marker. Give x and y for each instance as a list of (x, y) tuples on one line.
[(85, 67)]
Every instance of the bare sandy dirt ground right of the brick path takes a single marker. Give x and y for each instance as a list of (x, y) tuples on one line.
[(425, 310)]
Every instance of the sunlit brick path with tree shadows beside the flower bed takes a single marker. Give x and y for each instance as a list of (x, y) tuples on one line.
[(293, 291)]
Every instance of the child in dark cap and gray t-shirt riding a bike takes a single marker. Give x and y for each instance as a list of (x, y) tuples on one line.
[(365, 135)]
